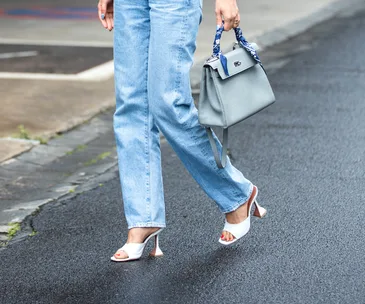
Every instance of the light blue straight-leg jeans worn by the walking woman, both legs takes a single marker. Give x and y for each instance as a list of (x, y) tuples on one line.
[(154, 43)]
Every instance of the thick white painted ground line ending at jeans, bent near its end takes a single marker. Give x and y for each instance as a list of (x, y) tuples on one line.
[(99, 73)]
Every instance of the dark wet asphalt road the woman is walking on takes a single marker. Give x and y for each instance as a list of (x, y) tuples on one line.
[(305, 153)]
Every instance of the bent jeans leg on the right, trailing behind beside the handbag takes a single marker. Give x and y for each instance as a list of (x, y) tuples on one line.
[(174, 26)]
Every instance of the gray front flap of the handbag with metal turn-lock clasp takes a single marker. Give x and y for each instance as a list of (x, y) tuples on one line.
[(238, 61)]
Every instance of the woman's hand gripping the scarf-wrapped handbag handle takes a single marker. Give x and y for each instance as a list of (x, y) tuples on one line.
[(227, 9)]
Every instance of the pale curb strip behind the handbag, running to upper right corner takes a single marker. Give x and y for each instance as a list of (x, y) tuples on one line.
[(280, 34)]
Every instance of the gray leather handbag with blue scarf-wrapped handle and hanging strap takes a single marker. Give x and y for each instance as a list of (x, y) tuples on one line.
[(233, 87)]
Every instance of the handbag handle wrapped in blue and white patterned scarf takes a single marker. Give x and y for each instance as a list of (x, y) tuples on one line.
[(217, 52)]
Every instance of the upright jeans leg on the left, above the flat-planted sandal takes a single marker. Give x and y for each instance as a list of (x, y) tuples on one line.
[(136, 134)]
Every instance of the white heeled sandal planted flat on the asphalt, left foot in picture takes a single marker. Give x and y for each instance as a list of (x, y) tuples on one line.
[(135, 250)]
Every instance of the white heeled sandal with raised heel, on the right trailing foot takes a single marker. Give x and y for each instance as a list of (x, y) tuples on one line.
[(241, 229)]
